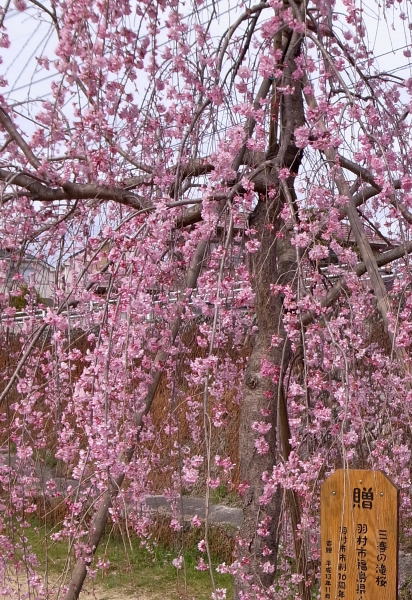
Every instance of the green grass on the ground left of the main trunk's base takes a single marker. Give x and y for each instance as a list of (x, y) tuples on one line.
[(132, 567)]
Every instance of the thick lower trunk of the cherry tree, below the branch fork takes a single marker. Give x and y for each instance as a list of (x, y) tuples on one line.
[(273, 264)]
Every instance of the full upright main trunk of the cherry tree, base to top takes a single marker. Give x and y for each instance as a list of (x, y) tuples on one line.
[(274, 264)]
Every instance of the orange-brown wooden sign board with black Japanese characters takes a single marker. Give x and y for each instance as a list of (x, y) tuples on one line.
[(359, 536)]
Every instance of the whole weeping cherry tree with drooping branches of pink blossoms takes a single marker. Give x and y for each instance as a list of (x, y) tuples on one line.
[(223, 193)]
